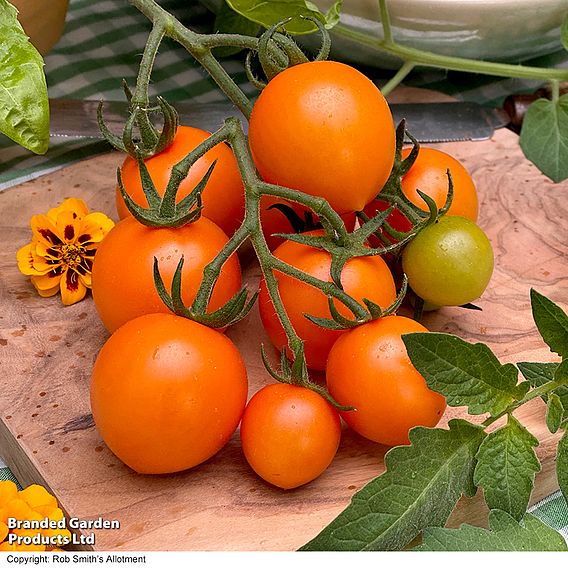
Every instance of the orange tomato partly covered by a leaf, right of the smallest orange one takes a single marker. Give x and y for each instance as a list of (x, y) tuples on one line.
[(368, 368)]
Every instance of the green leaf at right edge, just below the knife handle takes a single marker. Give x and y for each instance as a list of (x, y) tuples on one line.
[(544, 137)]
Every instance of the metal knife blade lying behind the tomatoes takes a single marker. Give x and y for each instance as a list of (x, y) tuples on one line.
[(427, 122)]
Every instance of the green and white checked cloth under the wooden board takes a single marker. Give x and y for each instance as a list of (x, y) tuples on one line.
[(103, 42)]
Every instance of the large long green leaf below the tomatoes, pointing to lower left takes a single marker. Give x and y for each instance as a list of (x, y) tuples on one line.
[(419, 488)]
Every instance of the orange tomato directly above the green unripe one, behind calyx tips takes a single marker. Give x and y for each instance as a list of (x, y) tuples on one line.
[(429, 175)]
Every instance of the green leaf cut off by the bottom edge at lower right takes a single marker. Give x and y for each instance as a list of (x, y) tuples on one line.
[(505, 534)]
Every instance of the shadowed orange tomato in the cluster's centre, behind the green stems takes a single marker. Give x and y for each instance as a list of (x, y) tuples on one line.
[(362, 277)]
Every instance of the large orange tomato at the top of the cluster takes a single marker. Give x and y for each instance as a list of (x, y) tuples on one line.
[(325, 129)]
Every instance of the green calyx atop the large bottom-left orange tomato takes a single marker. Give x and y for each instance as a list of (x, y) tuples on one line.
[(230, 313)]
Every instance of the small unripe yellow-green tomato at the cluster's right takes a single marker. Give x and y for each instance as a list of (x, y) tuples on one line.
[(450, 262)]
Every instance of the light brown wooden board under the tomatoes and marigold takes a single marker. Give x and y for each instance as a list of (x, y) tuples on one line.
[(47, 351)]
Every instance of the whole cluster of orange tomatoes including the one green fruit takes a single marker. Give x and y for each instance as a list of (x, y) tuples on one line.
[(168, 393)]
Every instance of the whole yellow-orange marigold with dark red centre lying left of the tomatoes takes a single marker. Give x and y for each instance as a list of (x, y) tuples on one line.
[(60, 256)]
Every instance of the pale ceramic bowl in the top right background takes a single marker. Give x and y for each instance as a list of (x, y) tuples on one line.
[(499, 30)]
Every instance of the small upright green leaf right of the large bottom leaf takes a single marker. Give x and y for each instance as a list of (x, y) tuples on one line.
[(506, 466)]
